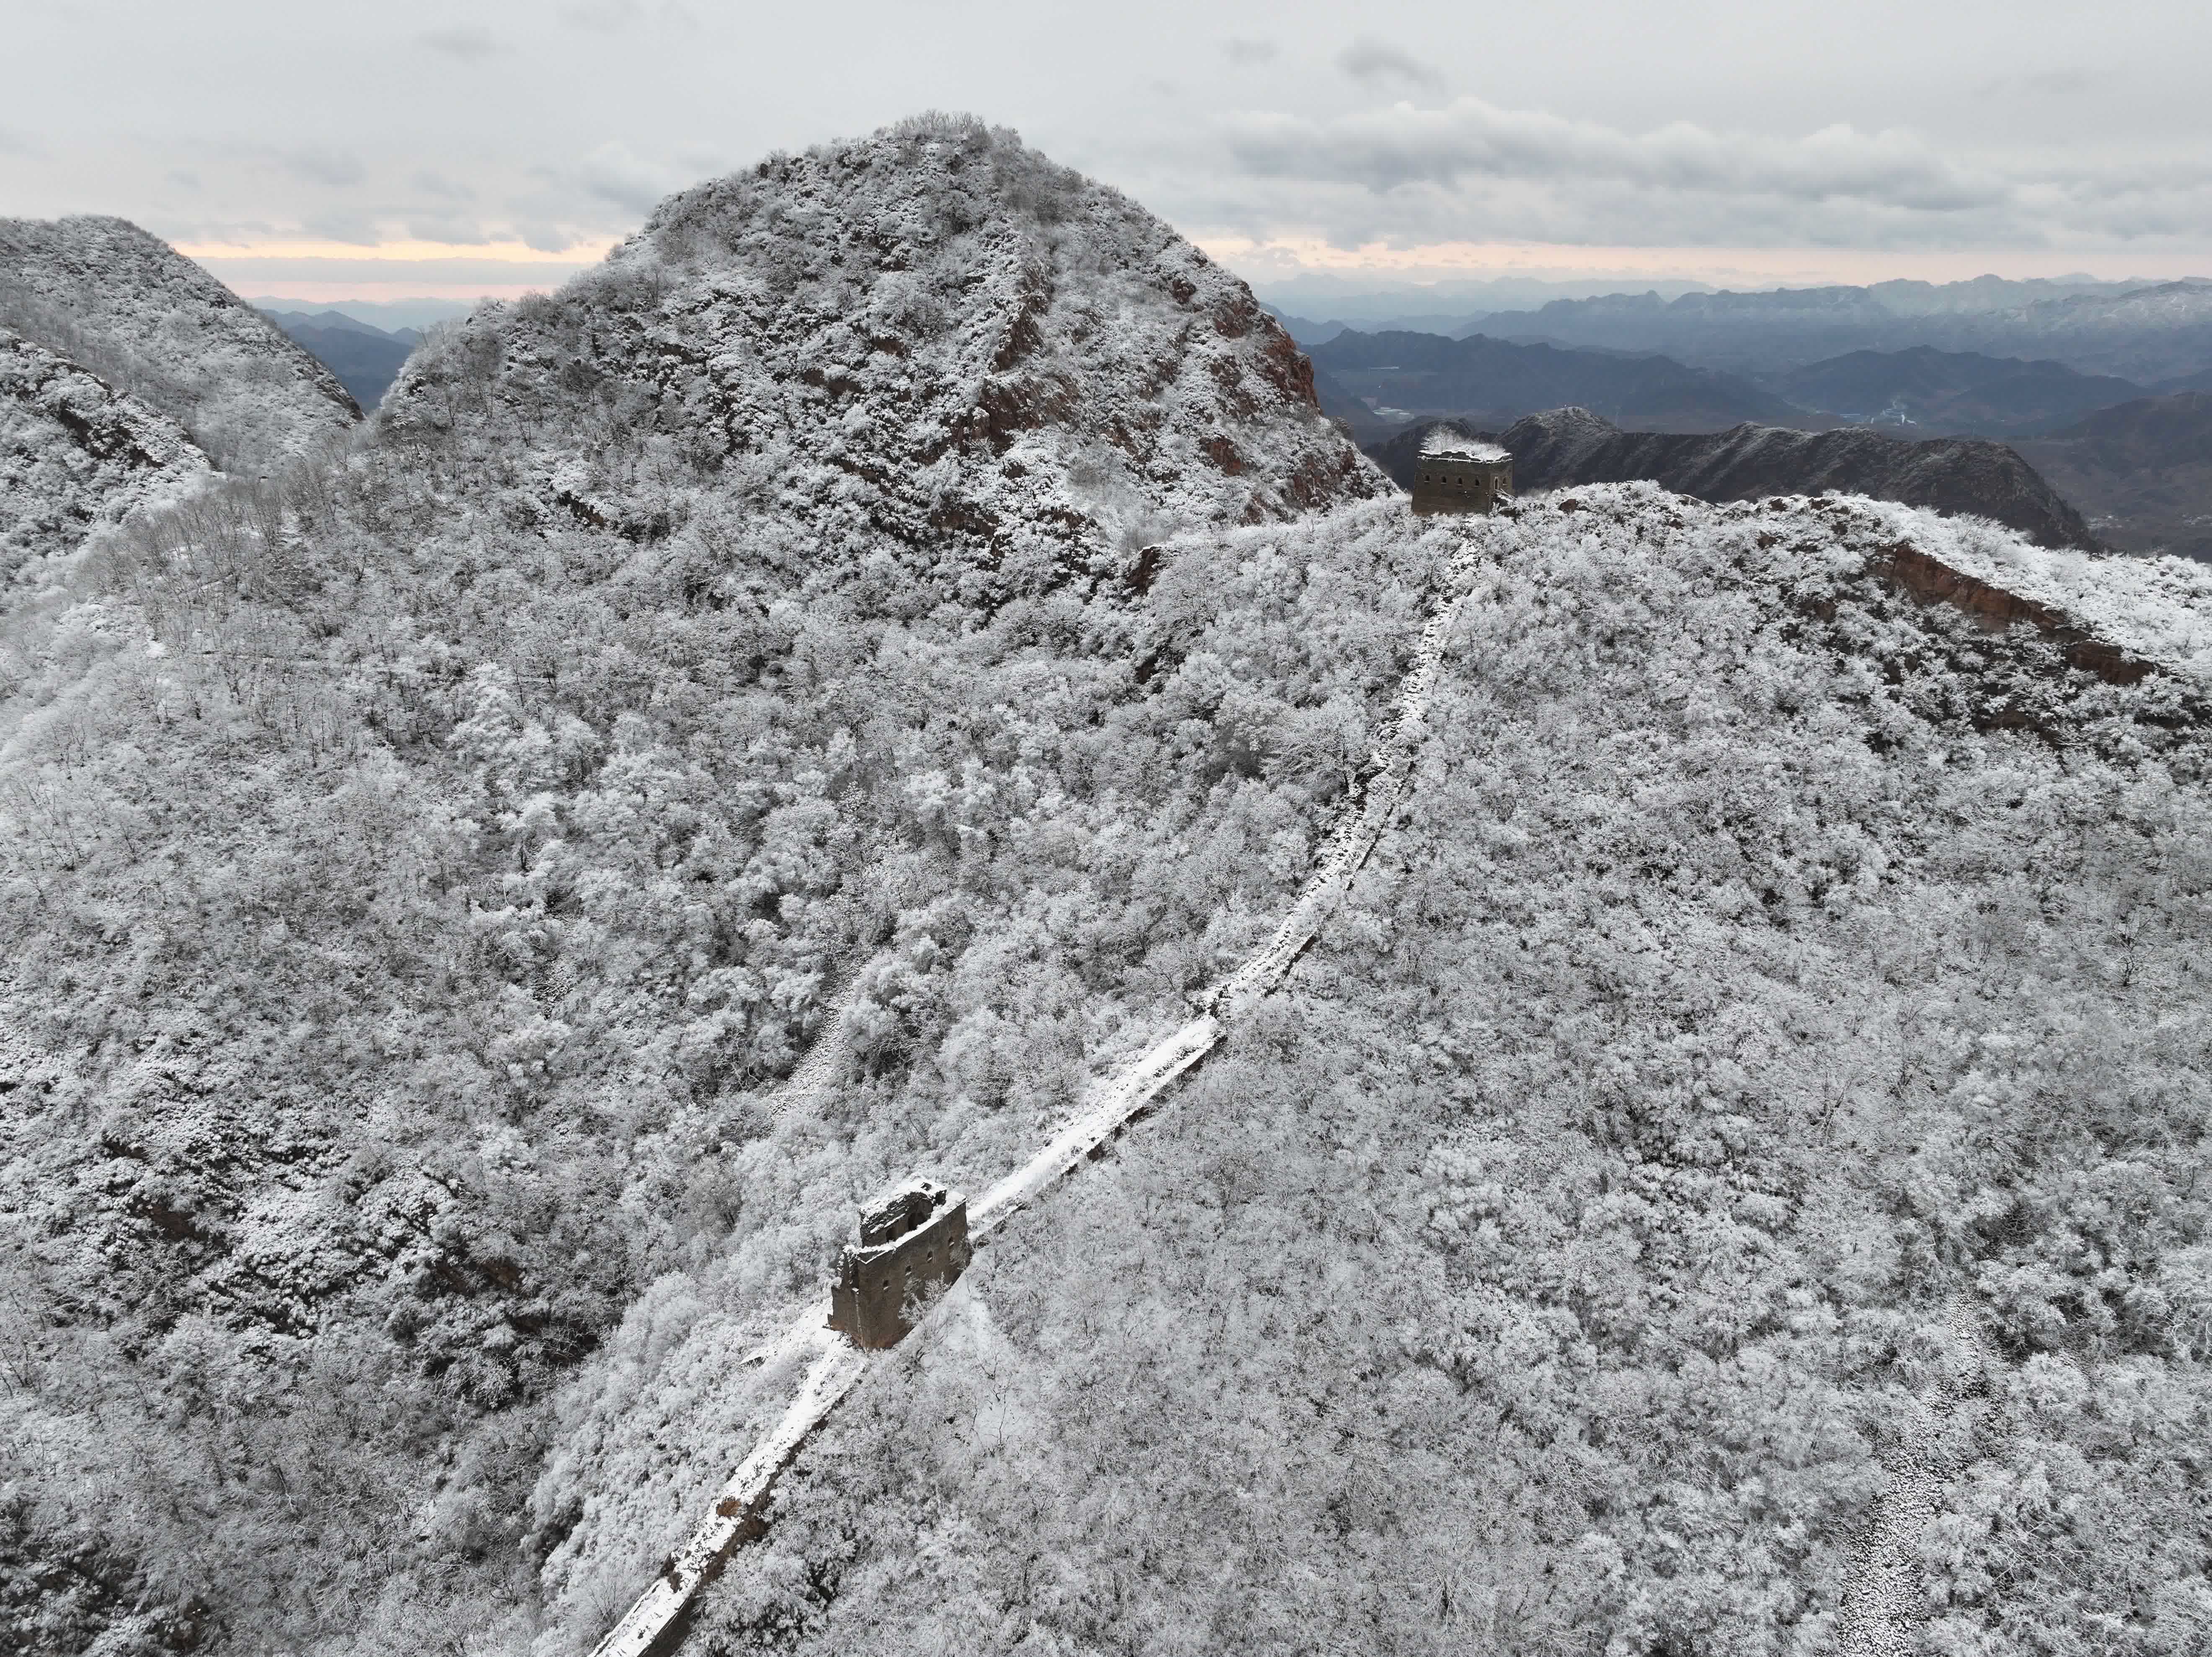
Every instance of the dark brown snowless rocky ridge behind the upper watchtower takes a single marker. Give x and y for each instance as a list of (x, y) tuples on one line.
[(1569, 448)]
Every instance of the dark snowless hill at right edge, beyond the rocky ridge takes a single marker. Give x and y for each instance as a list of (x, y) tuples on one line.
[(2142, 472)]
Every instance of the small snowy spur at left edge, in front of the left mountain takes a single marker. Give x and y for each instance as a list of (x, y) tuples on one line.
[(76, 455)]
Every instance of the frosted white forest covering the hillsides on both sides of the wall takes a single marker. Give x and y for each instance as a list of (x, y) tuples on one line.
[(906, 601)]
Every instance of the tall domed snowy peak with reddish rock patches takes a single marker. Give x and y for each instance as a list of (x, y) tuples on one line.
[(932, 337)]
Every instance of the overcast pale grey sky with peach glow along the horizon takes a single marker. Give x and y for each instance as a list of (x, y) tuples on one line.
[(413, 147)]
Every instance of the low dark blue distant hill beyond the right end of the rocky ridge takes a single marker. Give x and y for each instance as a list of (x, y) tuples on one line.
[(1952, 390)]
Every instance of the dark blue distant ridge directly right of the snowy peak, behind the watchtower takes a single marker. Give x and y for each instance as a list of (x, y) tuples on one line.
[(1492, 377)]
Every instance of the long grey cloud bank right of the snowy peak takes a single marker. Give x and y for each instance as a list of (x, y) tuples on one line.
[(1477, 140)]
